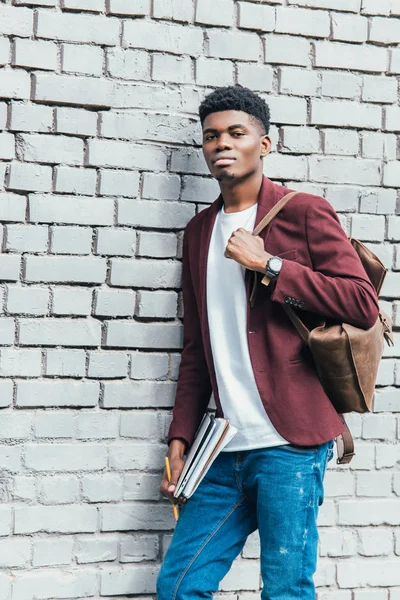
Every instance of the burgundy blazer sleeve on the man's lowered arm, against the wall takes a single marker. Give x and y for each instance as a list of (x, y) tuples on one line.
[(194, 385)]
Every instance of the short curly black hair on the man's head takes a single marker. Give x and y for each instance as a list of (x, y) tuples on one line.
[(236, 97)]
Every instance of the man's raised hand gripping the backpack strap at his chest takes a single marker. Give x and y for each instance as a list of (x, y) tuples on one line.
[(248, 250)]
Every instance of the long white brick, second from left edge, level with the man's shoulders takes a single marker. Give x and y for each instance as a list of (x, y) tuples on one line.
[(68, 209)]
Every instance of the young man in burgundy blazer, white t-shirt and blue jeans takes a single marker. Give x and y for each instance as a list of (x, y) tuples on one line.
[(253, 361)]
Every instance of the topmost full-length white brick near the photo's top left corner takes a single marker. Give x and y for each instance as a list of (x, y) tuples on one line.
[(78, 28)]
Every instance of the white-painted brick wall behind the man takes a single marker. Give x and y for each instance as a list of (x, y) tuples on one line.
[(100, 170)]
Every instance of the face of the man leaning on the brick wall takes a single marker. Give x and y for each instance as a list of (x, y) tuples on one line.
[(233, 144)]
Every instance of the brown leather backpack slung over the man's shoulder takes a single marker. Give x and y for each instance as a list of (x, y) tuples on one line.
[(346, 357)]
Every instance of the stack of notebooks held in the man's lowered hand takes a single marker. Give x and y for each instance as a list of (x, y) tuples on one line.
[(212, 436)]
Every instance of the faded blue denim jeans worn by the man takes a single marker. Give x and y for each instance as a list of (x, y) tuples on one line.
[(275, 490)]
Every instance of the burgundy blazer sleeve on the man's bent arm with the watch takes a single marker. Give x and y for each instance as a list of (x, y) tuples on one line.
[(337, 285)]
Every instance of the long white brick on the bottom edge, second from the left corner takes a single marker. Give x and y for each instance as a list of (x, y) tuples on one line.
[(71, 583)]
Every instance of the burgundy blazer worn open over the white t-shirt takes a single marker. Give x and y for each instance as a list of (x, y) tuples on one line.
[(321, 274)]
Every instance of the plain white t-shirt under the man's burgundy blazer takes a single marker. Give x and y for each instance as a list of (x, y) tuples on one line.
[(227, 318)]
